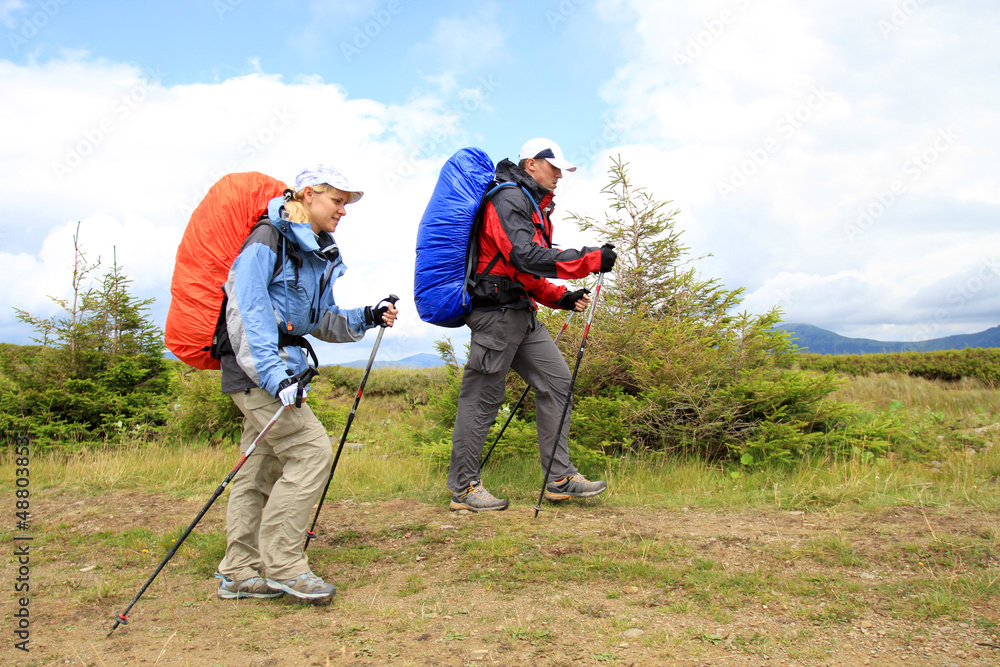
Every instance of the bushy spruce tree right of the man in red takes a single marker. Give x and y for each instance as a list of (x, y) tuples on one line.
[(673, 365)]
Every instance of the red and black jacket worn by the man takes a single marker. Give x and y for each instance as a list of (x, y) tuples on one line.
[(523, 239)]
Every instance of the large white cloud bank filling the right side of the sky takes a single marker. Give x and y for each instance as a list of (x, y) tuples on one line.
[(809, 147)]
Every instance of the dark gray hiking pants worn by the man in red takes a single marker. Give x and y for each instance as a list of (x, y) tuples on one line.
[(504, 339)]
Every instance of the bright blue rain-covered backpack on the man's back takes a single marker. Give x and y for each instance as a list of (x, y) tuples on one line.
[(444, 273)]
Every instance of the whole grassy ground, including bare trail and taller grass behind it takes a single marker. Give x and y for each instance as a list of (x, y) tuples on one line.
[(861, 561)]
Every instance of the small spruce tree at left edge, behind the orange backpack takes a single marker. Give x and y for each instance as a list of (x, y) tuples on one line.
[(99, 372)]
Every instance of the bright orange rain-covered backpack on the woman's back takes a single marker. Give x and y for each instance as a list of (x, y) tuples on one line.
[(211, 241)]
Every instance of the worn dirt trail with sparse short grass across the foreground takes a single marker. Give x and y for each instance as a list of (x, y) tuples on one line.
[(420, 585)]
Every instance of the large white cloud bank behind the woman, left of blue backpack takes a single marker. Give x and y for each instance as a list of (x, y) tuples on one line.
[(102, 143)]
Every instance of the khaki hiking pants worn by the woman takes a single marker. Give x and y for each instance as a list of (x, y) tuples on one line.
[(272, 496)]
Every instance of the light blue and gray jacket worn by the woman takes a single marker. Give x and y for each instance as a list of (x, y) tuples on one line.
[(282, 276)]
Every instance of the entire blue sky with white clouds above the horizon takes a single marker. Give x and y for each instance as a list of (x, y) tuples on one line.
[(835, 159)]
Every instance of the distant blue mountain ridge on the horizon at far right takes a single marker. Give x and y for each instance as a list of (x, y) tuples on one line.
[(821, 341)]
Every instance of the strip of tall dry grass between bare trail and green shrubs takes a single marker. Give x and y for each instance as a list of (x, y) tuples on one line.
[(379, 463)]
